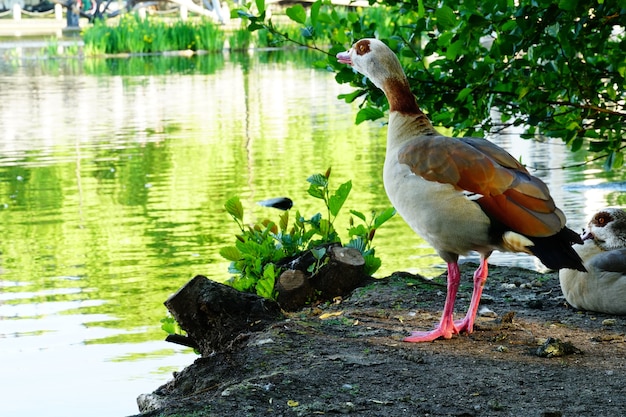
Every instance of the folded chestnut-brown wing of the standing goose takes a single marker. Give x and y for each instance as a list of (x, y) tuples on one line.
[(509, 193)]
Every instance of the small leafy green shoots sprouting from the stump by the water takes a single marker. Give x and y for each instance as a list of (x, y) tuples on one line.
[(259, 248)]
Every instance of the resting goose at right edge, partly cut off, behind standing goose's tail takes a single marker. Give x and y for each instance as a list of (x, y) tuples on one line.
[(603, 287)]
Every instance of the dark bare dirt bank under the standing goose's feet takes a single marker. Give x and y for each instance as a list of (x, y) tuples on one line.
[(349, 358)]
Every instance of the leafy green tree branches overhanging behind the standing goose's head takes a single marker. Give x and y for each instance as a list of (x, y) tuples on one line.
[(554, 67)]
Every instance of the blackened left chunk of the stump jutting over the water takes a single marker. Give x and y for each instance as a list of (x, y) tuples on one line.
[(214, 314)]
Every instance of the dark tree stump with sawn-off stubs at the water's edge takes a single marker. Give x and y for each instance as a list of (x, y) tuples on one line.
[(214, 314)]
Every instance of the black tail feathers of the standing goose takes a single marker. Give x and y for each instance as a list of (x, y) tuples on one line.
[(556, 251)]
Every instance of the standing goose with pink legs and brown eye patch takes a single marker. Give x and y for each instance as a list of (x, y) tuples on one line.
[(459, 194)]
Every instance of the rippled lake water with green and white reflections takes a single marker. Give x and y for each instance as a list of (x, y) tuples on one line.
[(113, 176)]
